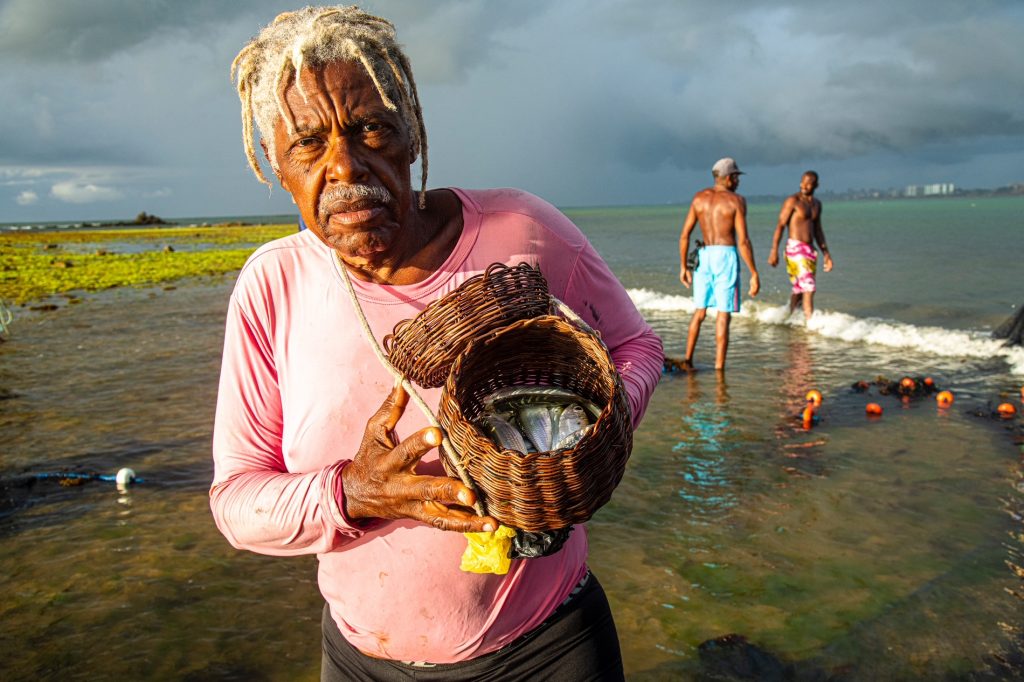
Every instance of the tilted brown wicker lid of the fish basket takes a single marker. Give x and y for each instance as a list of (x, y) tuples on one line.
[(424, 349)]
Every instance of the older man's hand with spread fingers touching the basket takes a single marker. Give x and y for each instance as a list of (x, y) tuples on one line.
[(381, 482)]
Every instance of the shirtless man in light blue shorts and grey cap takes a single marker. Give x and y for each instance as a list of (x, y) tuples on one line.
[(715, 278)]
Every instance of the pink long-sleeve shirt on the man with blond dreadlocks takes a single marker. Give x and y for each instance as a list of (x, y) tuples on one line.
[(298, 383)]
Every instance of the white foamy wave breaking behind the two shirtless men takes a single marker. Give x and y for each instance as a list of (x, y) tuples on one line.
[(934, 340)]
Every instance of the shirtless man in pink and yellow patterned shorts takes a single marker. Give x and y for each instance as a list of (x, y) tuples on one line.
[(802, 215)]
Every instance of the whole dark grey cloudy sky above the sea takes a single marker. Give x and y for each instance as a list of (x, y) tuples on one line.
[(581, 101)]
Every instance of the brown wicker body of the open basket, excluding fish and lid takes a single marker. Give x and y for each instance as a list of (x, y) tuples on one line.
[(540, 491)]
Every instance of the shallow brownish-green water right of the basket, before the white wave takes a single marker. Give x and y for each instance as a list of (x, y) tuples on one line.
[(870, 547)]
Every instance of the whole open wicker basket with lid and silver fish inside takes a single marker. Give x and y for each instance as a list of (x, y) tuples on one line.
[(534, 411)]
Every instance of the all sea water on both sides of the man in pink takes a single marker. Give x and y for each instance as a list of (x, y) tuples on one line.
[(869, 548)]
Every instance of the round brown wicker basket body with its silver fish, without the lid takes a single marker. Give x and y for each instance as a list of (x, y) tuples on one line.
[(538, 417)]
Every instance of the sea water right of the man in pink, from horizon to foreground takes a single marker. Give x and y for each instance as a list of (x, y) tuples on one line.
[(873, 547)]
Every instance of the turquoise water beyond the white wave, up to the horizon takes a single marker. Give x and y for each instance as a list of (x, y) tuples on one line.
[(955, 263)]
